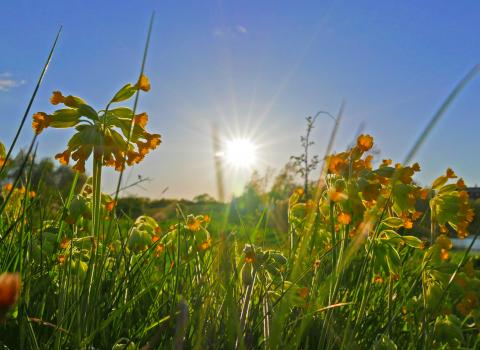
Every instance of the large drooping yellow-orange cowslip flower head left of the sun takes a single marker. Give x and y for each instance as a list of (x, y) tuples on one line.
[(116, 137)]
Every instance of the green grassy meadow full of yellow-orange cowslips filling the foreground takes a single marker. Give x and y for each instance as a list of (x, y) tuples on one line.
[(348, 270)]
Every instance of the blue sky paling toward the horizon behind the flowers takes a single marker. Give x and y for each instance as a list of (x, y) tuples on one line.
[(257, 69)]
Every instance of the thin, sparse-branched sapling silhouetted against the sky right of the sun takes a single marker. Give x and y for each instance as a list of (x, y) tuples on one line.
[(304, 163)]
